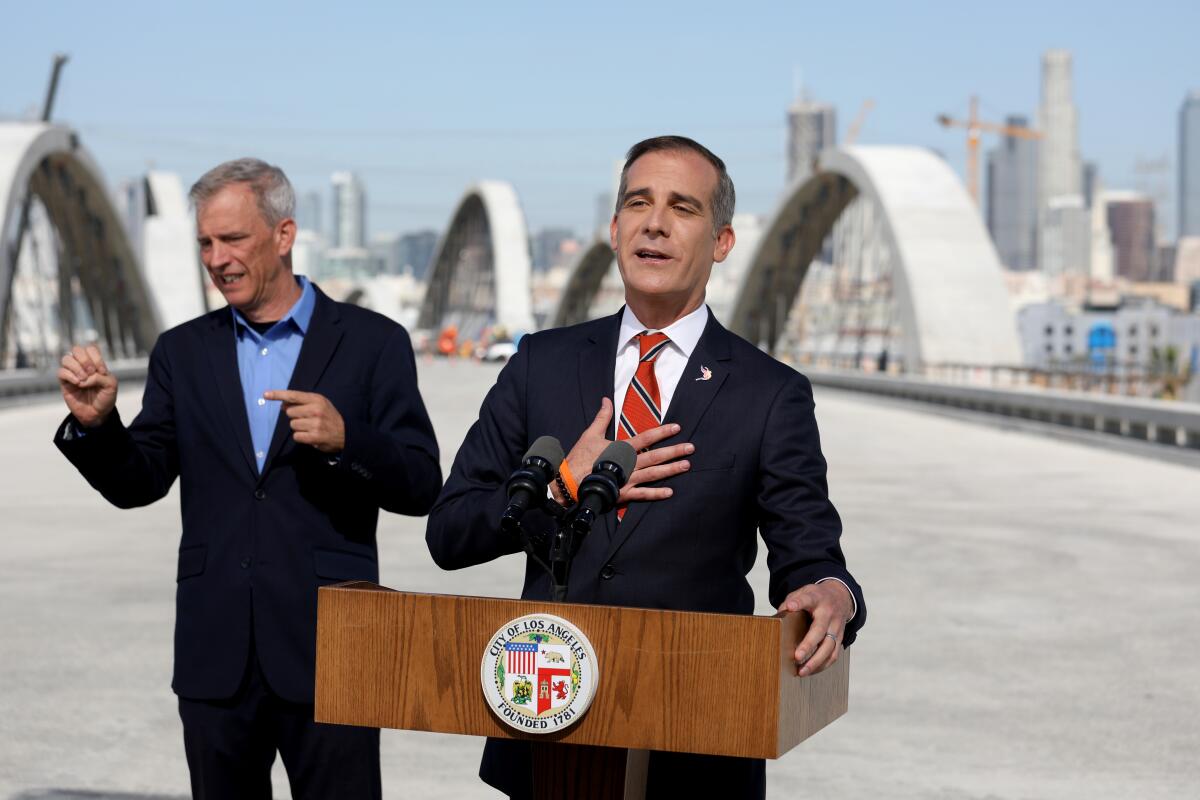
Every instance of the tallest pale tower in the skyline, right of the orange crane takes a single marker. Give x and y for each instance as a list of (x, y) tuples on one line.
[(1060, 173)]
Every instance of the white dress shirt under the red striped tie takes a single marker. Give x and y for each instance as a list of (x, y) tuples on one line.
[(669, 368)]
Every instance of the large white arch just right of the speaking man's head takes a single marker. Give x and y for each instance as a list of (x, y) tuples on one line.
[(949, 285)]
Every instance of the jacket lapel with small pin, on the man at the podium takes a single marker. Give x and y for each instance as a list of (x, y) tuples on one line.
[(689, 404)]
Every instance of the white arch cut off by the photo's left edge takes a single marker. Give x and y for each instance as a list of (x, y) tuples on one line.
[(47, 161)]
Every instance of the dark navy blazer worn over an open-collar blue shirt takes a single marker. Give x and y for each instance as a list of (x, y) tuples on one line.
[(256, 548)]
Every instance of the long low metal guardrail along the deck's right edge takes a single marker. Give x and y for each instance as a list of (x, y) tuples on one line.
[(1163, 423)]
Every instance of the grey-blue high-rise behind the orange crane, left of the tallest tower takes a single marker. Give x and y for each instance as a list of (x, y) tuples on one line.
[(1013, 200)]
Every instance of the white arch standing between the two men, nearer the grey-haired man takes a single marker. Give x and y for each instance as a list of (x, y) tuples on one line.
[(489, 216)]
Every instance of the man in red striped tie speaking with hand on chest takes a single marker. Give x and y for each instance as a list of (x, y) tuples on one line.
[(736, 454)]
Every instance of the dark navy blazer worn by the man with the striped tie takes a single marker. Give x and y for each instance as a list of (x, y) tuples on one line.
[(758, 470)]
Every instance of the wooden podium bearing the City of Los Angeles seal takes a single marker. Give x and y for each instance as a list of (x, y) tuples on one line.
[(716, 684)]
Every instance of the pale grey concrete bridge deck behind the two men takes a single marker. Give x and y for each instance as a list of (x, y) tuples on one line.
[(1033, 618)]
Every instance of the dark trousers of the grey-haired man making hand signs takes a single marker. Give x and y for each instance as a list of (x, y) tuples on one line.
[(231, 747)]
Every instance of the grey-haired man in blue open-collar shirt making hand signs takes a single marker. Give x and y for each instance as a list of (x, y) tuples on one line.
[(274, 504)]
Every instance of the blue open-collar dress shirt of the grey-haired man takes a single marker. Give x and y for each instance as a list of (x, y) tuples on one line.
[(267, 360)]
